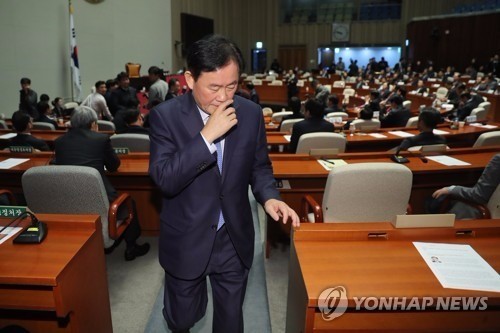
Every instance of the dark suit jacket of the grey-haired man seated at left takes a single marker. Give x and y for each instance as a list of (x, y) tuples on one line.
[(88, 148)]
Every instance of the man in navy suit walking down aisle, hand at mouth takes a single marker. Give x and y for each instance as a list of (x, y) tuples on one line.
[(207, 147)]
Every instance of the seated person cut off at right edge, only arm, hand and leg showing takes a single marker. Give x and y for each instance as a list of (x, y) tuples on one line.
[(480, 193)]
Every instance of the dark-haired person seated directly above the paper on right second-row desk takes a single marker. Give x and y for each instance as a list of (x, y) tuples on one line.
[(427, 121)]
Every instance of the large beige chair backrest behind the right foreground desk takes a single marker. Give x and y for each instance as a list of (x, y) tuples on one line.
[(366, 192)]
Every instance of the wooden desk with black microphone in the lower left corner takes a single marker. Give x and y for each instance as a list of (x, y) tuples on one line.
[(59, 285)]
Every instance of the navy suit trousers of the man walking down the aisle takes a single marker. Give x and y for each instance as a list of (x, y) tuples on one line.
[(185, 301)]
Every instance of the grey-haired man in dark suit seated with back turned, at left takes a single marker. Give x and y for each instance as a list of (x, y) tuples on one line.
[(83, 145)]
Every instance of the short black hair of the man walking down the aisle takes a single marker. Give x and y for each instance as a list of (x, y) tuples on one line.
[(211, 53)]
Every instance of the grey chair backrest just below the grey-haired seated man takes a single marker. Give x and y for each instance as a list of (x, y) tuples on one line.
[(67, 189)]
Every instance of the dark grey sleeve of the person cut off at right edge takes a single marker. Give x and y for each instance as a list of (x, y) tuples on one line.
[(485, 186)]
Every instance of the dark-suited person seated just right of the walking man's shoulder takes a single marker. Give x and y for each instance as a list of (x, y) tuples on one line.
[(312, 123)]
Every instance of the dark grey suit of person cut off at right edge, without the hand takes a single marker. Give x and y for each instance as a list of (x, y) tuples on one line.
[(480, 193)]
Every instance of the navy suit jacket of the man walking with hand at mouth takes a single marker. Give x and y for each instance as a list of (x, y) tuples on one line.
[(194, 191)]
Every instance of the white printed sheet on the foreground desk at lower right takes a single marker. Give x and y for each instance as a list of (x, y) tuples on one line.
[(458, 266)]
